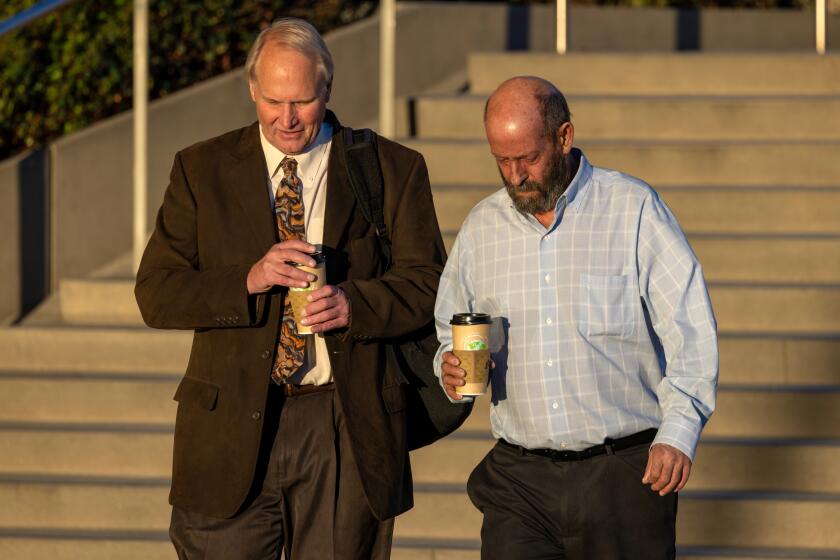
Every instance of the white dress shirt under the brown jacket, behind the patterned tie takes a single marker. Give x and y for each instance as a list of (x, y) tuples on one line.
[(312, 172)]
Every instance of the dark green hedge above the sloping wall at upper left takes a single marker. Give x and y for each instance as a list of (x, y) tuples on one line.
[(73, 67)]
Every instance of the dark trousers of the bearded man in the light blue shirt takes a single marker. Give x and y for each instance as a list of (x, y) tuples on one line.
[(536, 508)]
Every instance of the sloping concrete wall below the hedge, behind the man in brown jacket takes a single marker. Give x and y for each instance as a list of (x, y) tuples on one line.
[(92, 169)]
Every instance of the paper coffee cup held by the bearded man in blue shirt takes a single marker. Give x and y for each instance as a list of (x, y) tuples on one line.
[(470, 343)]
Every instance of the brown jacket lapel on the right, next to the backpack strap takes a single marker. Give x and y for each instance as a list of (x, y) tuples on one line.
[(340, 200)]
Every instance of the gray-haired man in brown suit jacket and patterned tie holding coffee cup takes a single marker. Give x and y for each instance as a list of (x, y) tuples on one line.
[(315, 462)]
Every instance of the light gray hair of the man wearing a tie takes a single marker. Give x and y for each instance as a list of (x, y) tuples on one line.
[(295, 34)]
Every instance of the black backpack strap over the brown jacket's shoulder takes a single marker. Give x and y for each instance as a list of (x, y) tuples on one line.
[(365, 175)]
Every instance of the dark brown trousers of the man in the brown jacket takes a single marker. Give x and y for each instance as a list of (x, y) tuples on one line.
[(310, 503)]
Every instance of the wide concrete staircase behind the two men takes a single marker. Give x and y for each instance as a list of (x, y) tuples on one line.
[(744, 148)]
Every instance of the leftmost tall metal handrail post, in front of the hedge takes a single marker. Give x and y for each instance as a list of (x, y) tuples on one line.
[(141, 96)]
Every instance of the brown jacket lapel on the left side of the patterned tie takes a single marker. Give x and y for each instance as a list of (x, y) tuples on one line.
[(248, 176)]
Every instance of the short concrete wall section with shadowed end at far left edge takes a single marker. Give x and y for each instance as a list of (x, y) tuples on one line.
[(24, 278)]
